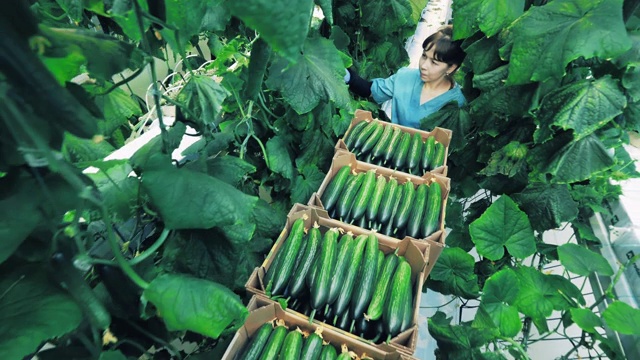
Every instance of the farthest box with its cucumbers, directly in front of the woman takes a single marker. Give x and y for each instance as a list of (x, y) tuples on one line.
[(396, 147)]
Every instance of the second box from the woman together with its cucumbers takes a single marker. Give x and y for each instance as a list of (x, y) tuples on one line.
[(394, 204)]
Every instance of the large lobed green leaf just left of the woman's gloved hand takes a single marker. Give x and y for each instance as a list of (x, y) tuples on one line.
[(317, 76)]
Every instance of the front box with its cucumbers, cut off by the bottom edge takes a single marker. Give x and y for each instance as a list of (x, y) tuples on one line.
[(272, 333)]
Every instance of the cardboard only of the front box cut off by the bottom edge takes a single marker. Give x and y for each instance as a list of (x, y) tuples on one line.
[(262, 310)]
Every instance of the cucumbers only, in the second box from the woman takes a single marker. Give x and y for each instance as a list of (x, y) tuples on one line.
[(386, 206)]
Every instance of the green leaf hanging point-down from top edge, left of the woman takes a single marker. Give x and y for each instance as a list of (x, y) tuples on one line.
[(283, 24)]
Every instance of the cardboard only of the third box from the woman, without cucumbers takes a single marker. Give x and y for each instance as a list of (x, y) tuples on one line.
[(417, 257)]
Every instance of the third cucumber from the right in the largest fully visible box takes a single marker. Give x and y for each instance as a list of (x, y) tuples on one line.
[(367, 279)]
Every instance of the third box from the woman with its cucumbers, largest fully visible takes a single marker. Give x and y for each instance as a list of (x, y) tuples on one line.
[(347, 278)]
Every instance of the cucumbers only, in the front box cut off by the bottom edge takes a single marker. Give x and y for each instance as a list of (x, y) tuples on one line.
[(278, 342)]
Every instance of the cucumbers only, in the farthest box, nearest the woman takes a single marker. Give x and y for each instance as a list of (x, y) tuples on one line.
[(386, 145)]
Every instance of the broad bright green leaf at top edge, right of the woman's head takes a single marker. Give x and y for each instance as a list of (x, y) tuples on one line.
[(546, 38)]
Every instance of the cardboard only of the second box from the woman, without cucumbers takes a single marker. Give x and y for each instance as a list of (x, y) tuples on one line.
[(435, 240)]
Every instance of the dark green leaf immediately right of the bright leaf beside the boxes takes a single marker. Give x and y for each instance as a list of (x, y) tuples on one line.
[(547, 205)]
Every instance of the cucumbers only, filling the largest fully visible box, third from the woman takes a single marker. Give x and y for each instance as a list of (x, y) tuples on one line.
[(348, 282)]
